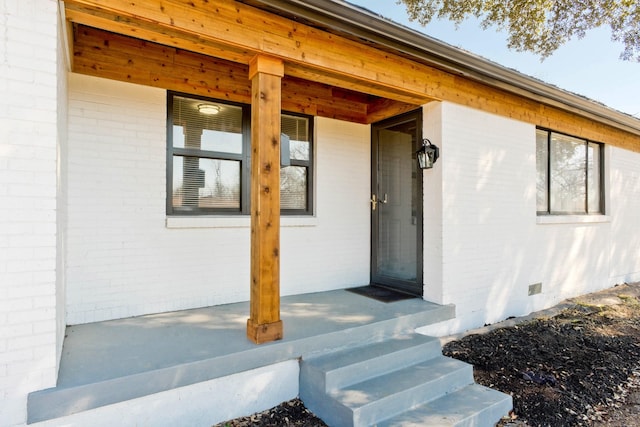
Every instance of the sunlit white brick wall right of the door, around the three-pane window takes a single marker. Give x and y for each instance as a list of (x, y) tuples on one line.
[(494, 246)]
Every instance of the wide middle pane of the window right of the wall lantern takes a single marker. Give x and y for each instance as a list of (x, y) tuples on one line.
[(568, 175)]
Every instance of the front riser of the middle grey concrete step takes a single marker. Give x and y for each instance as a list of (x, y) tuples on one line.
[(410, 398)]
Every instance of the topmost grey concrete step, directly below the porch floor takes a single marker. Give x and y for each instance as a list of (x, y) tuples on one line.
[(342, 368)]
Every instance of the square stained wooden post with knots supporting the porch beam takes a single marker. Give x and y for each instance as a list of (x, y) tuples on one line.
[(264, 323)]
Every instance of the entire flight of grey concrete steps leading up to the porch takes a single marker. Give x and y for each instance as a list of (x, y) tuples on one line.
[(400, 381)]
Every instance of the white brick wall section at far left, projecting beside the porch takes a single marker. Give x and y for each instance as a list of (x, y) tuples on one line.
[(28, 137)]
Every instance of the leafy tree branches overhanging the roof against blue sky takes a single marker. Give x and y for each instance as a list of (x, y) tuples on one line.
[(540, 26)]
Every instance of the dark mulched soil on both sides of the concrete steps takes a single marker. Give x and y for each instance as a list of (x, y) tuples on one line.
[(580, 367)]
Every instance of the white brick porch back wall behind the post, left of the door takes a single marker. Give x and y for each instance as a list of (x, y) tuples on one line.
[(122, 260)]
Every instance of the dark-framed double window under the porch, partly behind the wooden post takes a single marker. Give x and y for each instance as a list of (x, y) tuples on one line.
[(209, 159)]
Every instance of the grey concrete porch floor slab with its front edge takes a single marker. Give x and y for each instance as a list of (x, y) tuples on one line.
[(113, 361)]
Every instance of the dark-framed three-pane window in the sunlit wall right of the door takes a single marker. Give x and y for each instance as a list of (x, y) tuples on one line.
[(569, 175)]
